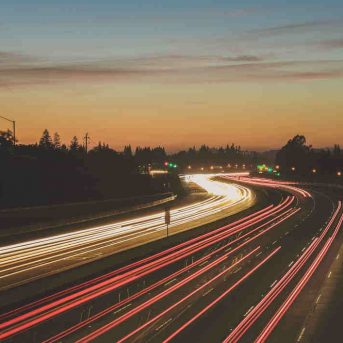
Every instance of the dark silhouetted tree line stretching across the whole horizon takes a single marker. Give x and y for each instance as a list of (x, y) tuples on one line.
[(50, 172)]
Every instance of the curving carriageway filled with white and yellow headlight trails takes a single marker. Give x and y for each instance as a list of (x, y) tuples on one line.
[(26, 261)]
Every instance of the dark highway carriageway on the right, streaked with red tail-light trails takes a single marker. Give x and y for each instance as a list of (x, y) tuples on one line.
[(232, 283)]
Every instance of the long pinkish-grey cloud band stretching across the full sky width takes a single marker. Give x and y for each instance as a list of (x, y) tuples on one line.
[(170, 68)]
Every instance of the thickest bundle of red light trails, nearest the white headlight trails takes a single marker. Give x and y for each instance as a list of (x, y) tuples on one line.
[(30, 318)]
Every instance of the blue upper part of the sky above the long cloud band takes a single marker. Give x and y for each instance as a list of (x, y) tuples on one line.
[(70, 29)]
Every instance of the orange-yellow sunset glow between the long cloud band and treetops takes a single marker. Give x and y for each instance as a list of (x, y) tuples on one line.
[(253, 116)]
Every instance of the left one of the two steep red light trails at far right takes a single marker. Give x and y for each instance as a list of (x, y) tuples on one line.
[(258, 310)]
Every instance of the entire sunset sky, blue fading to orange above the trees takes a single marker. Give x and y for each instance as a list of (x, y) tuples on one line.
[(173, 73)]
